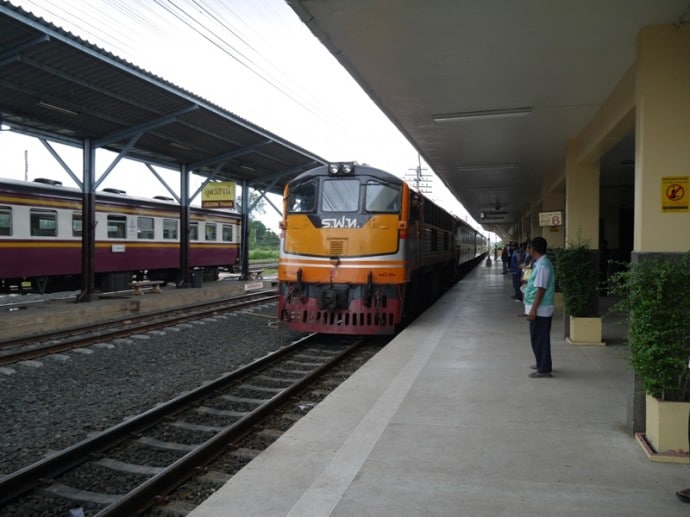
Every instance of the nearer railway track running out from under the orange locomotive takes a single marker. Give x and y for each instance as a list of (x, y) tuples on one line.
[(130, 467)]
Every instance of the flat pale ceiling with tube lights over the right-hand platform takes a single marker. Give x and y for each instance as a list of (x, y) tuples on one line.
[(491, 92)]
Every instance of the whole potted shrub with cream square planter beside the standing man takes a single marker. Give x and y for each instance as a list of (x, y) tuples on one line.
[(577, 275)]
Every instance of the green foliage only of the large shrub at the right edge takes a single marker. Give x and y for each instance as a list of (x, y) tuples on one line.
[(655, 299)]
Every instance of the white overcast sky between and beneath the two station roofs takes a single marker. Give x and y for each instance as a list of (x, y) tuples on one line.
[(253, 58)]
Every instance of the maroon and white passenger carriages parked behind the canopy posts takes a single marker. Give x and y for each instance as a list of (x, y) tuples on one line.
[(41, 238)]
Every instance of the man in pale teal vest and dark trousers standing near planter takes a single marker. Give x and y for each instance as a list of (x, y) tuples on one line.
[(539, 307)]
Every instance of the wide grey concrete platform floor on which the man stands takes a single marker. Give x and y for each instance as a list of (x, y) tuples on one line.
[(445, 421)]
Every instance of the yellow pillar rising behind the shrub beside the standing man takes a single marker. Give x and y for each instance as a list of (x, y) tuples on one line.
[(581, 200)]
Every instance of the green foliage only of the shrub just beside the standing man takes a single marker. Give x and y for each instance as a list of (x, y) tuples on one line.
[(577, 276)]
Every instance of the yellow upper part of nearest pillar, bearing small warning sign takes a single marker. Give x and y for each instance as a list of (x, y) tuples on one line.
[(662, 133)]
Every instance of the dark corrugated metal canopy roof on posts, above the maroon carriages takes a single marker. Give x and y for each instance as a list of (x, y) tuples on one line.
[(57, 86)]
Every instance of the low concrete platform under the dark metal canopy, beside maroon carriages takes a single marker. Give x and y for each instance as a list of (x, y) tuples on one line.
[(25, 319)]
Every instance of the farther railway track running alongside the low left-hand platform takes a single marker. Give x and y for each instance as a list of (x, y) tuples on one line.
[(24, 349)]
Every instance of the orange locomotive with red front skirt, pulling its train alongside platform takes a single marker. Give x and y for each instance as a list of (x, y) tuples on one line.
[(362, 252)]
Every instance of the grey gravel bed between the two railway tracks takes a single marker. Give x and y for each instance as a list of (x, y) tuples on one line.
[(56, 401)]
